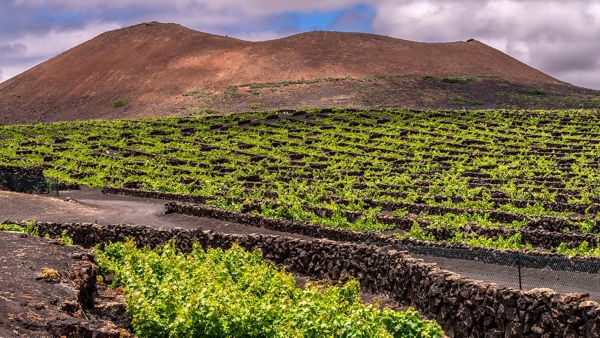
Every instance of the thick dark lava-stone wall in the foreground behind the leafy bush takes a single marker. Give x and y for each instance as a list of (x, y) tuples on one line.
[(462, 306)]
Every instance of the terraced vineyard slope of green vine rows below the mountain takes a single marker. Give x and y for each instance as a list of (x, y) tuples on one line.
[(483, 178)]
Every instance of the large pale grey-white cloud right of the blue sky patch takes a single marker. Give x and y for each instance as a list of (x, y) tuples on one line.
[(558, 37)]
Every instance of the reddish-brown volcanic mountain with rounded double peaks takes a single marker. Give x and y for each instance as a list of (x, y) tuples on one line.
[(155, 69)]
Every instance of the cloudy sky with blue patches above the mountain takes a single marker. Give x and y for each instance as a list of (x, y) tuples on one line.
[(561, 38)]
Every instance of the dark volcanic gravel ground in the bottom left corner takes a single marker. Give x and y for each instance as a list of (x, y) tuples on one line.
[(40, 283)]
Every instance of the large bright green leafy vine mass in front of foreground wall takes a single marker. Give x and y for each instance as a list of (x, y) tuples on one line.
[(234, 293)]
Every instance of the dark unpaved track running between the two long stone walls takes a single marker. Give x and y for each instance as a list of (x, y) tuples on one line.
[(93, 206)]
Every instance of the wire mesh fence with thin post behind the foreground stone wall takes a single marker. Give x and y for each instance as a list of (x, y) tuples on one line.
[(516, 270)]
